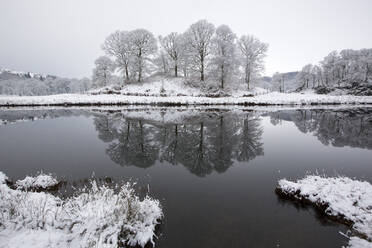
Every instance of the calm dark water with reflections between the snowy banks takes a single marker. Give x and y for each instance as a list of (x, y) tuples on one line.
[(214, 171)]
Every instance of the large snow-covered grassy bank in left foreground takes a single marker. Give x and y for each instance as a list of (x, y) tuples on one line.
[(96, 217)]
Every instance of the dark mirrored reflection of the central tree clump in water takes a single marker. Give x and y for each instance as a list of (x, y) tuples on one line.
[(203, 143)]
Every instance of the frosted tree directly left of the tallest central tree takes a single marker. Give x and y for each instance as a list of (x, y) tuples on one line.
[(173, 45)]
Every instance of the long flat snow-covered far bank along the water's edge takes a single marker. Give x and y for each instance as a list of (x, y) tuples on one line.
[(273, 98)]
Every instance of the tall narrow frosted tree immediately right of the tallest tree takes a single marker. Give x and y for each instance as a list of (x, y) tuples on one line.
[(224, 59)]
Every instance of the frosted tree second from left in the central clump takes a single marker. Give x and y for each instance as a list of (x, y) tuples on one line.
[(119, 46)]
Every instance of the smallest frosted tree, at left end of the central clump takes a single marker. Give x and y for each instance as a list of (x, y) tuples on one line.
[(102, 71)]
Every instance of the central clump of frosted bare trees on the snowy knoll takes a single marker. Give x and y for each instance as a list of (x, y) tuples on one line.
[(201, 51)]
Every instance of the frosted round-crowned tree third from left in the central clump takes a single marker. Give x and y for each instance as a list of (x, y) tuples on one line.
[(143, 45)]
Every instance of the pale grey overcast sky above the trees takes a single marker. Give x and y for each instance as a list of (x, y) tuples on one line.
[(63, 37)]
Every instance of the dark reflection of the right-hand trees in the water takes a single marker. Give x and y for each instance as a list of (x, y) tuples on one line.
[(342, 127)]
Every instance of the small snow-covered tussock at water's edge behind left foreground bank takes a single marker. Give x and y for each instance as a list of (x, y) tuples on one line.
[(41, 181)]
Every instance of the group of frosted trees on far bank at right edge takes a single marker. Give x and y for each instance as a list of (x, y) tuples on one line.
[(336, 69)]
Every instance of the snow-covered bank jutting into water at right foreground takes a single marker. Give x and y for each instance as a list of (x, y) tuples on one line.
[(340, 197)]
